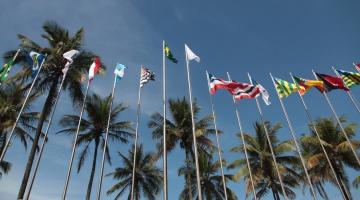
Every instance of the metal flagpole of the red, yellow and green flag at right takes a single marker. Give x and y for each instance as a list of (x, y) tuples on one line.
[(319, 138)]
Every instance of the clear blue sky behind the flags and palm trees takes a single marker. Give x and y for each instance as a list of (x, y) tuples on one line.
[(230, 36)]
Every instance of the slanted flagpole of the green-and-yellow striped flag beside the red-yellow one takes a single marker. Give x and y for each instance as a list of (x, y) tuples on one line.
[(295, 140)]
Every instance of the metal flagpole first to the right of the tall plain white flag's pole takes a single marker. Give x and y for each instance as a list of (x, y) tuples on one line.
[(217, 137)]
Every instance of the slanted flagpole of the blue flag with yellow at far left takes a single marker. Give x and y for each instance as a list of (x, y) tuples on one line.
[(21, 109)]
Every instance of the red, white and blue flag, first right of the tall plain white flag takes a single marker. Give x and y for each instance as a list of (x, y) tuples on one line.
[(216, 83)]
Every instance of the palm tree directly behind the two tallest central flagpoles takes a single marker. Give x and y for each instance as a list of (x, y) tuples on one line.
[(179, 130)]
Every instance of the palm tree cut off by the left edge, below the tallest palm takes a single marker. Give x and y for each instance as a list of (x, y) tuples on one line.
[(11, 100)]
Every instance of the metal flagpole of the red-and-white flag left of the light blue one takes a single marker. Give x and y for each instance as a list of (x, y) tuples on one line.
[(74, 145)]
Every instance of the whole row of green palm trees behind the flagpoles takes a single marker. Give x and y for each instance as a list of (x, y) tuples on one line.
[(179, 128)]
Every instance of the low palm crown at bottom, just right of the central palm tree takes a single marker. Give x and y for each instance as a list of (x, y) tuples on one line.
[(211, 181)]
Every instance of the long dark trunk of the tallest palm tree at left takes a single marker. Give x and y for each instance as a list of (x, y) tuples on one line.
[(44, 113)]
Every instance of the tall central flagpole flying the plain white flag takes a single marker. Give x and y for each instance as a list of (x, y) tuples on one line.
[(193, 129)]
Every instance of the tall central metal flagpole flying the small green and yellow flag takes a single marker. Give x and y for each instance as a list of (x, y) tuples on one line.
[(164, 128)]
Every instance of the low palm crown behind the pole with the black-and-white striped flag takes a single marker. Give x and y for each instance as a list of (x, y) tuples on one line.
[(148, 176)]
